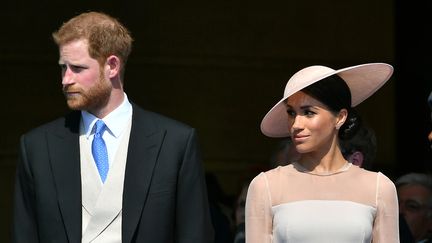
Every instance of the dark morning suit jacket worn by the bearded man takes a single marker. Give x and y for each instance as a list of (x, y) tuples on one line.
[(164, 195)]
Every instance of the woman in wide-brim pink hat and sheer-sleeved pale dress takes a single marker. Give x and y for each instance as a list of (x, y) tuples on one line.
[(321, 197)]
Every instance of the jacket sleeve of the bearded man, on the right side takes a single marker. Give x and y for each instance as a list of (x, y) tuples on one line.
[(193, 221)]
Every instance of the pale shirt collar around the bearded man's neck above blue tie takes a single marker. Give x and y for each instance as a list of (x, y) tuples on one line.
[(115, 121)]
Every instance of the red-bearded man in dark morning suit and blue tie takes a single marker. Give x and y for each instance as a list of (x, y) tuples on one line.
[(109, 171)]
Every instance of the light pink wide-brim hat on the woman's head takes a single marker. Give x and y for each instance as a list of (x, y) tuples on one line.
[(363, 80)]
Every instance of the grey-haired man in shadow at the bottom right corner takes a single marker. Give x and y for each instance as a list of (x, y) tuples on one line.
[(415, 204)]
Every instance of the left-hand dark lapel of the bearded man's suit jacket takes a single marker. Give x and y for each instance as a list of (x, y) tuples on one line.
[(65, 163)]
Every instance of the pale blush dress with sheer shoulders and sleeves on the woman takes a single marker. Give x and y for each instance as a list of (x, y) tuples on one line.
[(353, 205)]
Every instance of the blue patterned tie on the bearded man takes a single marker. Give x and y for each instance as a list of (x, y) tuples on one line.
[(99, 150)]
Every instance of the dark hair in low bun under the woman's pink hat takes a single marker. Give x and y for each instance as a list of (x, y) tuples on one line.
[(334, 92)]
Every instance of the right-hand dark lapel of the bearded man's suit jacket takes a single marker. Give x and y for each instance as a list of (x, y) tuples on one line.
[(144, 144)]
